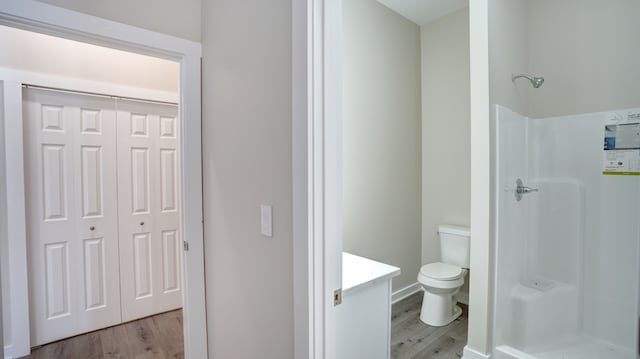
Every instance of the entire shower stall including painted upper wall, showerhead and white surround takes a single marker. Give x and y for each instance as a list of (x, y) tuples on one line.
[(566, 178)]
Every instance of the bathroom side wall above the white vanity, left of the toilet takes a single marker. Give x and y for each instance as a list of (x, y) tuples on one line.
[(381, 137)]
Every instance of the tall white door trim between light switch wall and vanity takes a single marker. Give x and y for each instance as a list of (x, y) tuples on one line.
[(317, 174)]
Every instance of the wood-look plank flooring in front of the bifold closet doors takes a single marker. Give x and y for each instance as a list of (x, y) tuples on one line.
[(159, 337)]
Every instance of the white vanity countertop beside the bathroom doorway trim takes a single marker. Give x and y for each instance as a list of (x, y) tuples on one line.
[(359, 272)]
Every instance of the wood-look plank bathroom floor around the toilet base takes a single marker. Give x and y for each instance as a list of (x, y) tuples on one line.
[(412, 339)]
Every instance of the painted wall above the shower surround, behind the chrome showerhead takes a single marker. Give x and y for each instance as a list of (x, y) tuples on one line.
[(589, 65)]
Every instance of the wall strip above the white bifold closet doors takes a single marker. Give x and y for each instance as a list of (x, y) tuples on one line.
[(33, 52)]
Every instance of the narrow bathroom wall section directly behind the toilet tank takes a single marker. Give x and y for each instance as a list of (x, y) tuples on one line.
[(446, 167)]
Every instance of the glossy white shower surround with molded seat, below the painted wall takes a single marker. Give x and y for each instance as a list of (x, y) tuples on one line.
[(567, 247)]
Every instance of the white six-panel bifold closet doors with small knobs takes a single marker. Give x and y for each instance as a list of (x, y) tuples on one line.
[(102, 204)]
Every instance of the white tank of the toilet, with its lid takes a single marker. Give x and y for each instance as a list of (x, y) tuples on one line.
[(454, 245)]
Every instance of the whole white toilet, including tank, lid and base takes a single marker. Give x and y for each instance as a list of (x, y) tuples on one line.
[(442, 280)]
